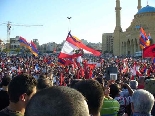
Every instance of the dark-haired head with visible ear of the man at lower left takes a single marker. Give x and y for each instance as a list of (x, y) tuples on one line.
[(21, 88)]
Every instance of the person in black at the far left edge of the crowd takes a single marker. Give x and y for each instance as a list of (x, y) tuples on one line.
[(4, 97)]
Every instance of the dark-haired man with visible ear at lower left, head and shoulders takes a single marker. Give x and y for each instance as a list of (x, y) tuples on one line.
[(20, 90)]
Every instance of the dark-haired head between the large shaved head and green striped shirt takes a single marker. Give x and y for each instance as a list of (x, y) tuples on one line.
[(93, 92)]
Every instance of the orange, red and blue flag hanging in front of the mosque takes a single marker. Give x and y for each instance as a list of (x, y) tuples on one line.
[(143, 39)]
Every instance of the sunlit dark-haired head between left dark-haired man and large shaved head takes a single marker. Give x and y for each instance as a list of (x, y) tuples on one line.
[(44, 82)]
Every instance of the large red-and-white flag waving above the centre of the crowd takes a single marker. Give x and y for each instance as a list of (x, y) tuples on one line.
[(73, 47)]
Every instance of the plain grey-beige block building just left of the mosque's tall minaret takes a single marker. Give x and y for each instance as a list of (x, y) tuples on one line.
[(107, 42)]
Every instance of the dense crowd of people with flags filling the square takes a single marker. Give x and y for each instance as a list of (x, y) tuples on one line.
[(48, 86)]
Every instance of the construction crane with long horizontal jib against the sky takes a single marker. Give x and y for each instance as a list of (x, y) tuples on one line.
[(9, 25)]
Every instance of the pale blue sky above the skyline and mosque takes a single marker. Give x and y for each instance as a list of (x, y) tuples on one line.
[(90, 18)]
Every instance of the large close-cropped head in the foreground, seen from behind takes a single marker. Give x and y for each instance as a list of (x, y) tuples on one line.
[(57, 101)]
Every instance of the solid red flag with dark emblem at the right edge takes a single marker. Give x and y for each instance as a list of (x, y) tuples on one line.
[(149, 51)]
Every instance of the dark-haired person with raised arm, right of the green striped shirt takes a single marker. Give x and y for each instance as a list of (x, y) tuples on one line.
[(123, 101)]
